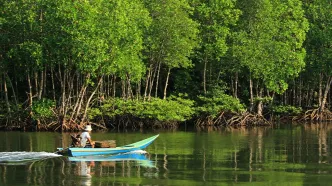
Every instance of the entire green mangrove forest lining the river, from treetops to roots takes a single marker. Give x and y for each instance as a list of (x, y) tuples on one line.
[(159, 64)]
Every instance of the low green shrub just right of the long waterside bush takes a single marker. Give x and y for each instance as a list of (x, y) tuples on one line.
[(218, 102)]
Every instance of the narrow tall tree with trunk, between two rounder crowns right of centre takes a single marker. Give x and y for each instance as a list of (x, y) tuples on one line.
[(215, 19)]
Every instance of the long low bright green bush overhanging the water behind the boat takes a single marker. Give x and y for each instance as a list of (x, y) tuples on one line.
[(175, 108)]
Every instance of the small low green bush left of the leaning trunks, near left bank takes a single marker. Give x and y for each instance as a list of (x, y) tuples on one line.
[(42, 109)]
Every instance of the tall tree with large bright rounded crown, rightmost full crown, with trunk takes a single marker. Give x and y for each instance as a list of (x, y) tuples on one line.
[(269, 43)]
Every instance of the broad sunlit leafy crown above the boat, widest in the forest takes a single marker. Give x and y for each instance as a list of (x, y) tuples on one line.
[(105, 36)]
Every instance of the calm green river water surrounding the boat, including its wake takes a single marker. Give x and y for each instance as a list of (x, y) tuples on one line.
[(283, 155)]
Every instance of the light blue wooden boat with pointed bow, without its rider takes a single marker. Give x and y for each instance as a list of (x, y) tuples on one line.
[(75, 151)]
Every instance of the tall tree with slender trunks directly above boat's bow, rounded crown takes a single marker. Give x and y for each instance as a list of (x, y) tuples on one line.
[(170, 40)]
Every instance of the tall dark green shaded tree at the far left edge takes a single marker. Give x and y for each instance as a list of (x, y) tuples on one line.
[(22, 45)]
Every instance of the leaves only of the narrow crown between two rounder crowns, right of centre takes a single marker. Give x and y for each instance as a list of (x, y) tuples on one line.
[(215, 18)]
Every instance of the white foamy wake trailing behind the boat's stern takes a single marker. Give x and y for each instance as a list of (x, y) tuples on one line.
[(23, 157)]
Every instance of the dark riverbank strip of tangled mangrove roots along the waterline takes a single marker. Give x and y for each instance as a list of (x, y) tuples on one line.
[(131, 122)]
